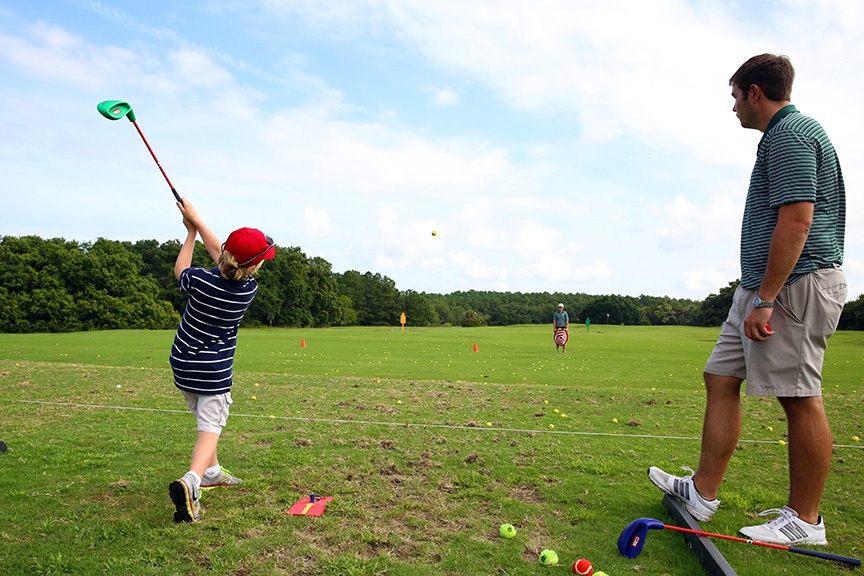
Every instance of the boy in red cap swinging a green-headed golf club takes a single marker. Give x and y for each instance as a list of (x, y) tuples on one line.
[(202, 356)]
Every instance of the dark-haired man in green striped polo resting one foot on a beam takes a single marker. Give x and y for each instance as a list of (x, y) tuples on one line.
[(788, 304)]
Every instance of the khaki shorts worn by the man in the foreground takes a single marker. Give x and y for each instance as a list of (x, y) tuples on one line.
[(789, 363)]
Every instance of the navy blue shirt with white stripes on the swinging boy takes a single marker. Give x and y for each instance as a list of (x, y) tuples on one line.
[(202, 356)]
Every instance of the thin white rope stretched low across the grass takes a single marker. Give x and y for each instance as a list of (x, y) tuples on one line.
[(400, 424)]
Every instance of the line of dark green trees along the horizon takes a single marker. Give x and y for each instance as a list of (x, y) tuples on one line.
[(56, 285)]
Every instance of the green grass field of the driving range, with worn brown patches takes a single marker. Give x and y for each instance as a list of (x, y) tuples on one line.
[(426, 447)]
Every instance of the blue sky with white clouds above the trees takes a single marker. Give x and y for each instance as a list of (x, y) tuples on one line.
[(553, 145)]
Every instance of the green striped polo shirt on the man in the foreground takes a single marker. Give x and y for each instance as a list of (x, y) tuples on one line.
[(795, 162)]
